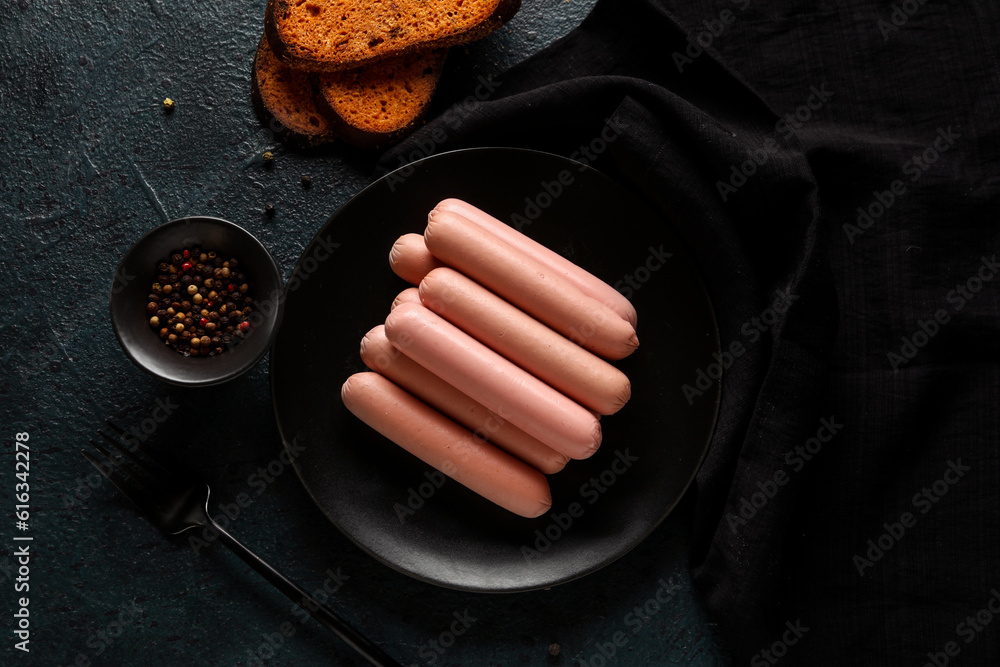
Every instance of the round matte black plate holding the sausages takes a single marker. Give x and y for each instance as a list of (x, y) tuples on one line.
[(387, 501)]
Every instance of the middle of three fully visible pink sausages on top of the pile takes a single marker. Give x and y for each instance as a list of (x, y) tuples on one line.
[(536, 348)]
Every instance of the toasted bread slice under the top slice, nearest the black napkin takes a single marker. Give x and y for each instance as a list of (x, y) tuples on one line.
[(375, 105)]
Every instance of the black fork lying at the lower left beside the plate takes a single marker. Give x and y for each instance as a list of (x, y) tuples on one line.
[(174, 500)]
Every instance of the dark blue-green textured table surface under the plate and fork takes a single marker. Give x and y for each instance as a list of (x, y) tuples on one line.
[(91, 163)]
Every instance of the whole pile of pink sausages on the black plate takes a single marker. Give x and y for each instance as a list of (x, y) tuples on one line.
[(494, 368)]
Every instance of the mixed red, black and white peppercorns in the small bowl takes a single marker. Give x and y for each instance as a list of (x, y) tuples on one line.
[(200, 304)]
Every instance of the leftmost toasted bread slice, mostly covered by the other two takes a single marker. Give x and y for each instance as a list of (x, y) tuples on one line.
[(284, 100)]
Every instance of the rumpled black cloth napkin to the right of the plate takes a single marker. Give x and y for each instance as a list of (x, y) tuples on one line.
[(834, 172)]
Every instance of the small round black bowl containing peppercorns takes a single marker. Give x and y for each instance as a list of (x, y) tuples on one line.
[(137, 272)]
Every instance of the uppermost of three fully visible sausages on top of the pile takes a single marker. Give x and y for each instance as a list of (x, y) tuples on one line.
[(528, 284)]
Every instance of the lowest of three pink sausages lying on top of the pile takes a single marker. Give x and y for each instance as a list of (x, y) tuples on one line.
[(486, 377)]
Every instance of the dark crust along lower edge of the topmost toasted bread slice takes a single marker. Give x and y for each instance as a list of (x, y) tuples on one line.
[(303, 58)]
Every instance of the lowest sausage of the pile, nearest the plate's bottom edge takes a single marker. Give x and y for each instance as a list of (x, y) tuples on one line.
[(446, 446)]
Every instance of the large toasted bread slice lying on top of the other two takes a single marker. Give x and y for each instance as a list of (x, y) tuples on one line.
[(335, 35)]
